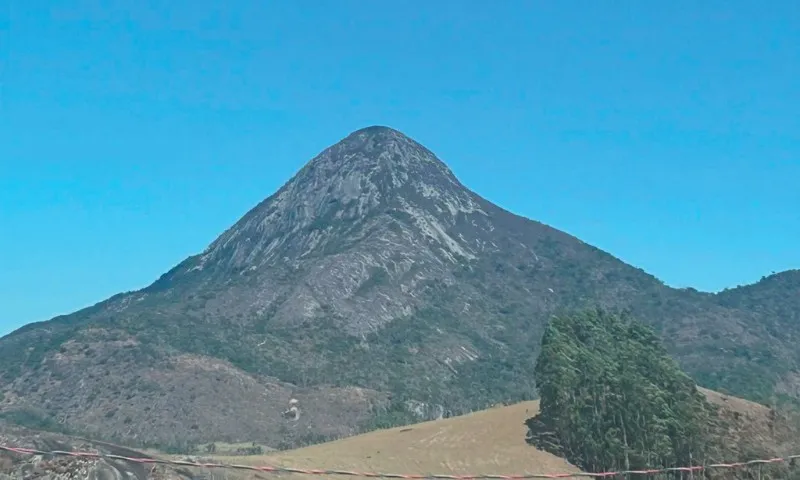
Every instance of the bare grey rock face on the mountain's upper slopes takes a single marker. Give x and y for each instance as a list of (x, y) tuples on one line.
[(376, 204)]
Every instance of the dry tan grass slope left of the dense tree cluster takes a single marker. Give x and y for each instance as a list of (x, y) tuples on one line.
[(489, 441)]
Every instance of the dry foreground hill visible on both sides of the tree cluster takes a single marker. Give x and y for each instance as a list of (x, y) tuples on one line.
[(492, 441)]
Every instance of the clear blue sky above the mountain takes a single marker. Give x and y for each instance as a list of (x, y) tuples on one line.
[(133, 133)]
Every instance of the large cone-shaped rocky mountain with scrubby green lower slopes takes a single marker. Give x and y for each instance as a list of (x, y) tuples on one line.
[(373, 288)]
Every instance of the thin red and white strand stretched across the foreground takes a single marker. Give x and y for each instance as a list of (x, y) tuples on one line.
[(303, 471)]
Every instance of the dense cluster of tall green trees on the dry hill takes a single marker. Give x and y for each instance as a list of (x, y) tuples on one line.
[(612, 398)]
